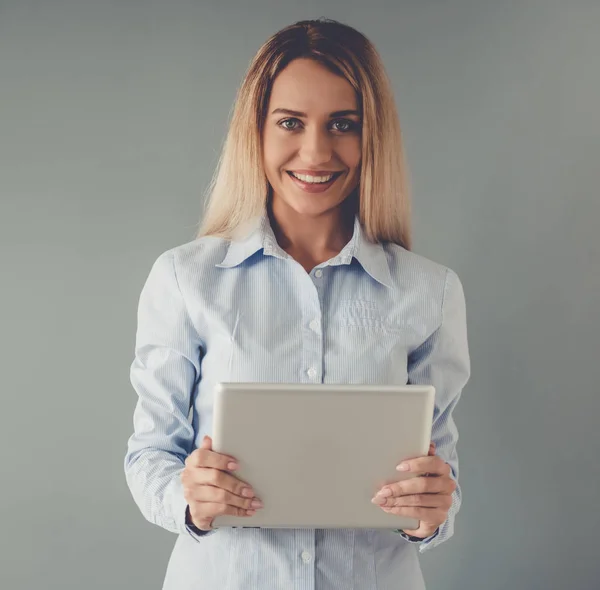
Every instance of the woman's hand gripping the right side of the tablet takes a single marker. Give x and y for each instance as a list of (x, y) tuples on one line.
[(427, 497)]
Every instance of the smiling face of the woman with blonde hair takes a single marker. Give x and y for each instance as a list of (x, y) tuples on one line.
[(311, 138)]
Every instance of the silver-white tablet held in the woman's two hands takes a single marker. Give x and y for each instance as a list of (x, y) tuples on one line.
[(316, 454)]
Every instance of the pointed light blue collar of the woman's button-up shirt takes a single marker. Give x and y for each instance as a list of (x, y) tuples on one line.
[(259, 236)]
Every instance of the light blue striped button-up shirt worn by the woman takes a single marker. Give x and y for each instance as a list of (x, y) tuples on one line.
[(243, 310)]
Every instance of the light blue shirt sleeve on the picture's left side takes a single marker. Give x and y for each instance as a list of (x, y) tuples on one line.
[(164, 373)]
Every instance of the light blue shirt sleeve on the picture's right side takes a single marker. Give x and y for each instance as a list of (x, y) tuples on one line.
[(443, 361)]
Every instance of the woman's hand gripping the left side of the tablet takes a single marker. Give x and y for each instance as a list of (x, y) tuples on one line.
[(210, 491)]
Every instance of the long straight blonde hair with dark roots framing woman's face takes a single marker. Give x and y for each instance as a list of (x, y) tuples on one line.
[(239, 189)]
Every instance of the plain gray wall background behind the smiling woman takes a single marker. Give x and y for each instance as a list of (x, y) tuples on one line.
[(112, 115)]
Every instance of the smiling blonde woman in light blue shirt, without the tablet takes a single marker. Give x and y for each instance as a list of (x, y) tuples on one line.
[(302, 272)]
